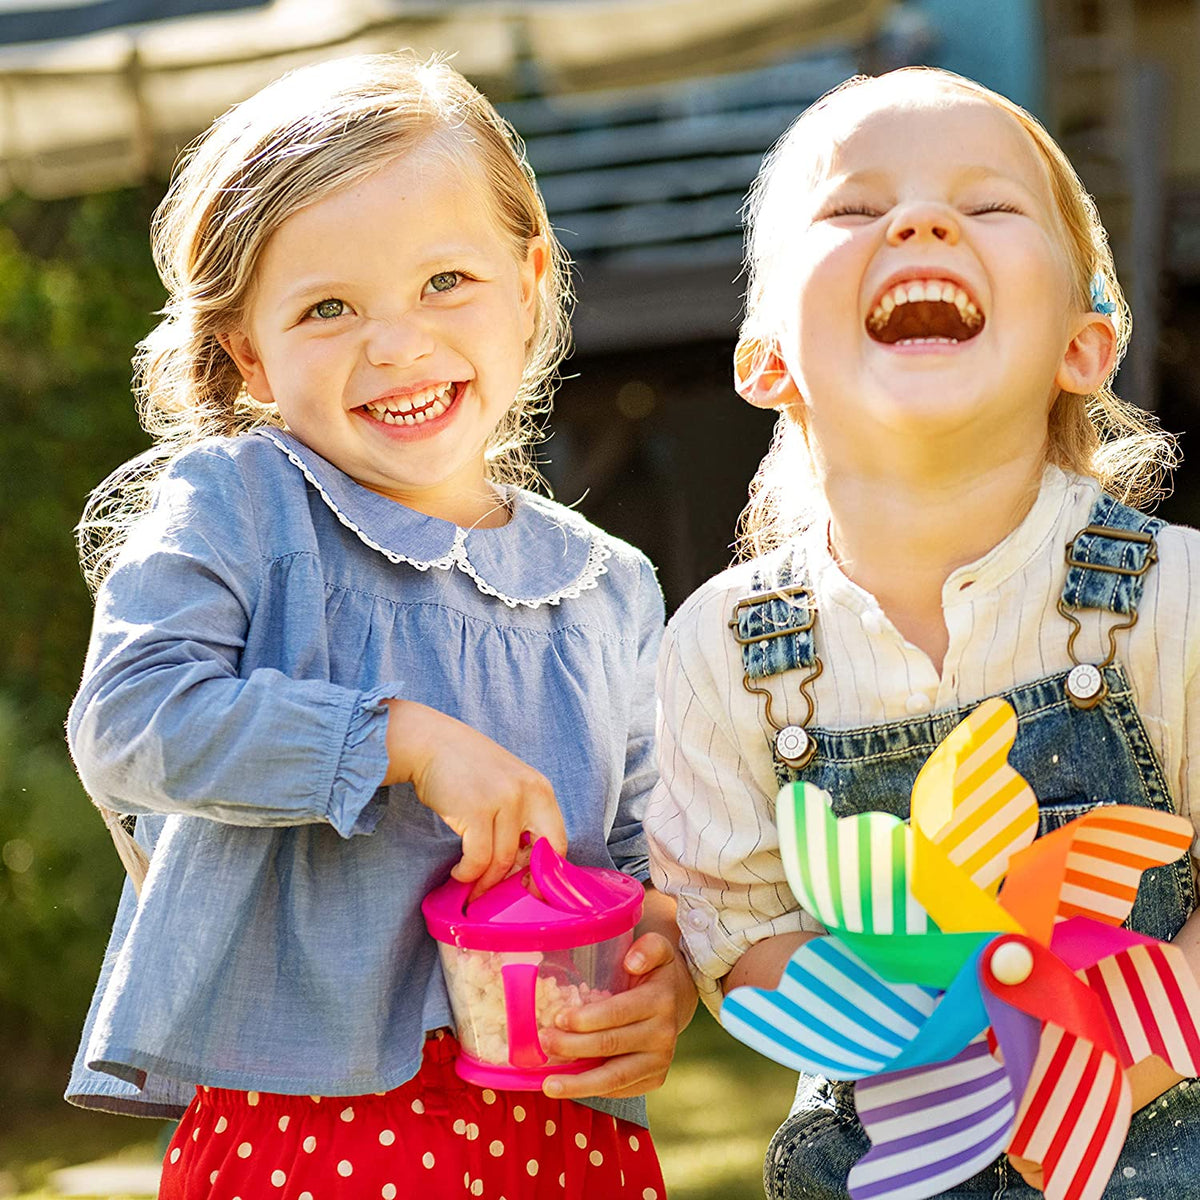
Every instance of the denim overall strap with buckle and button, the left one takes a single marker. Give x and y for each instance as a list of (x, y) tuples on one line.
[(775, 629)]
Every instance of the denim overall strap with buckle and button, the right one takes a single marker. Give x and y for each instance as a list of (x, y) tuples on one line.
[(1107, 566)]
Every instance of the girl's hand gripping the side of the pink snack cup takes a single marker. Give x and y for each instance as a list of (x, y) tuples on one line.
[(635, 1030)]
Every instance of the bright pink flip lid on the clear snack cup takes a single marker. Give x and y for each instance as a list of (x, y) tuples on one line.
[(580, 905)]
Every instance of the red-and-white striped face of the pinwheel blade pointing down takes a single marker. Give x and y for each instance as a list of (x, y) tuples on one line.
[(1076, 1115)]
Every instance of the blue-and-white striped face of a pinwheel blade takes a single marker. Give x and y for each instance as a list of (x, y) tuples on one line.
[(831, 1015)]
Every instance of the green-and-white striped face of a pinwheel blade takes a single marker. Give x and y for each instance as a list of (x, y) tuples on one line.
[(851, 874)]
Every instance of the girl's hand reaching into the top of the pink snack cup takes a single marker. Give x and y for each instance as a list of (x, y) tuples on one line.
[(484, 794)]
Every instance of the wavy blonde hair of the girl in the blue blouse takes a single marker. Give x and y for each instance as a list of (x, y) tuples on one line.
[(310, 134)]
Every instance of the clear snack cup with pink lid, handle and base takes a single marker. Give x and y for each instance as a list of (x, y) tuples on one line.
[(551, 938)]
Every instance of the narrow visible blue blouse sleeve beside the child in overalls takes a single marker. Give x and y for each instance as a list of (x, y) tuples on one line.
[(627, 839)]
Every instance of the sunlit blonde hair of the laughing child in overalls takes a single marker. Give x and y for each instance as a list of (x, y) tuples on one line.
[(1097, 435)]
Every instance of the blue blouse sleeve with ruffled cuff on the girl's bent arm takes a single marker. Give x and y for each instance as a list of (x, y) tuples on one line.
[(165, 723)]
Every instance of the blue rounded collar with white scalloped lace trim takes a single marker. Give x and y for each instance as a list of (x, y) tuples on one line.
[(545, 555)]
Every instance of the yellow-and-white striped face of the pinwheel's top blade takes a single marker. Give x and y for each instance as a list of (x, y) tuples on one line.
[(968, 800)]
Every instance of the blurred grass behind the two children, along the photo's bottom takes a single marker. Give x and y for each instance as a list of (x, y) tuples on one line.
[(712, 1123)]
